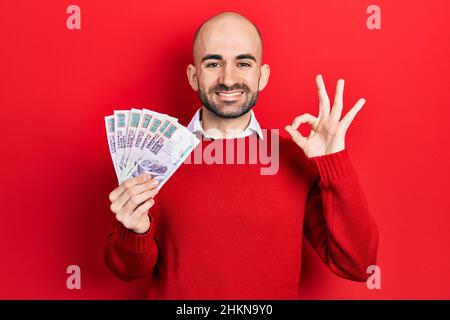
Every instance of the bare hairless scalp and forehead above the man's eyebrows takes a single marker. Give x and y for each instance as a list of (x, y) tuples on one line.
[(227, 29)]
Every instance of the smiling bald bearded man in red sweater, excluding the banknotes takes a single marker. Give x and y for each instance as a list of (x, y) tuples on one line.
[(223, 230)]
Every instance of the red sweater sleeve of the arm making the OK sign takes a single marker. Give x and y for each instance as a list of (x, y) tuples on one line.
[(337, 222)]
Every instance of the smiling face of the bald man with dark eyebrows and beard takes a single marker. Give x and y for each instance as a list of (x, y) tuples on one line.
[(227, 57)]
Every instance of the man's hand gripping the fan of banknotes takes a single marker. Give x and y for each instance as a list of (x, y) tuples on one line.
[(132, 199)]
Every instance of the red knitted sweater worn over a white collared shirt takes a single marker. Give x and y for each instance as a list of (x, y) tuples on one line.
[(224, 231)]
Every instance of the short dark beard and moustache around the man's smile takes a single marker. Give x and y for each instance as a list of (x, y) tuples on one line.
[(243, 109)]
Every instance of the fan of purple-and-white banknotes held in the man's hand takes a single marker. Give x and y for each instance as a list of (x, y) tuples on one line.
[(145, 141)]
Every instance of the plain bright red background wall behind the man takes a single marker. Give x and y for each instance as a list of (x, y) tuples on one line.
[(56, 85)]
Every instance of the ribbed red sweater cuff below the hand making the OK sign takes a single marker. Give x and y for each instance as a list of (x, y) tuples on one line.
[(333, 166)]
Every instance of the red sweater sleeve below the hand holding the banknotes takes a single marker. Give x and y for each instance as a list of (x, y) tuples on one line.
[(129, 255)]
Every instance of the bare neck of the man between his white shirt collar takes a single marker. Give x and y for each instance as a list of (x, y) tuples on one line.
[(223, 127)]
